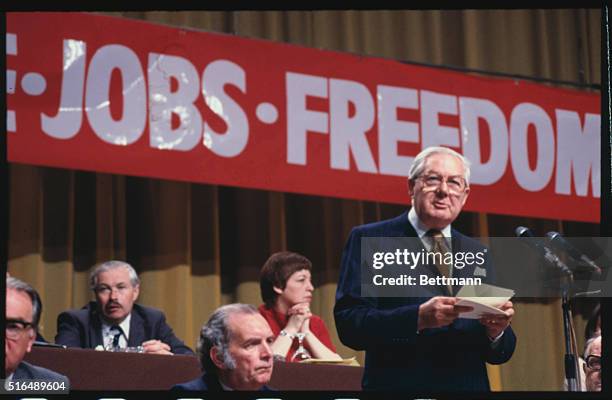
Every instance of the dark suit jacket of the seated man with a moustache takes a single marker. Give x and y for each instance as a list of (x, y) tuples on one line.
[(82, 328)]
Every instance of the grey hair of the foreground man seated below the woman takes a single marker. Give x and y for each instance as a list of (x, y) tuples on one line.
[(216, 333)]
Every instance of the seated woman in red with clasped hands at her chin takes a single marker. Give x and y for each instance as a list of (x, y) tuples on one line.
[(287, 291)]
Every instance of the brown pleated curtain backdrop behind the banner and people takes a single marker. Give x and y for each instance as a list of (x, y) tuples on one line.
[(197, 247)]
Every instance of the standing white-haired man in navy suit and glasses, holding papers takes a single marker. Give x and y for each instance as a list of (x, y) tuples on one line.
[(421, 343)]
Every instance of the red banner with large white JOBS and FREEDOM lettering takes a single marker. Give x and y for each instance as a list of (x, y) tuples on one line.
[(114, 95)]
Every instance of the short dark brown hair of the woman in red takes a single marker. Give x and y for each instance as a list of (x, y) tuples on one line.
[(277, 270)]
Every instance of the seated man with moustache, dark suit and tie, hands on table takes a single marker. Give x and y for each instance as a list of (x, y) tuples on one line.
[(114, 320)]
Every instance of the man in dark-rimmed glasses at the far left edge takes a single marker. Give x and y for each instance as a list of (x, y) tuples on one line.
[(23, 310)]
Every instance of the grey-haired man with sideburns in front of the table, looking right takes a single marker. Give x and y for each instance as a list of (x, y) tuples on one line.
[(235, 349)]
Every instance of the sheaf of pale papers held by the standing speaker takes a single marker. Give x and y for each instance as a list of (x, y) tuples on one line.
[(484, 299)]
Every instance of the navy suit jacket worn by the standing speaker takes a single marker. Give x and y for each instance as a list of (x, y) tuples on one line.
[(450, 358)]
